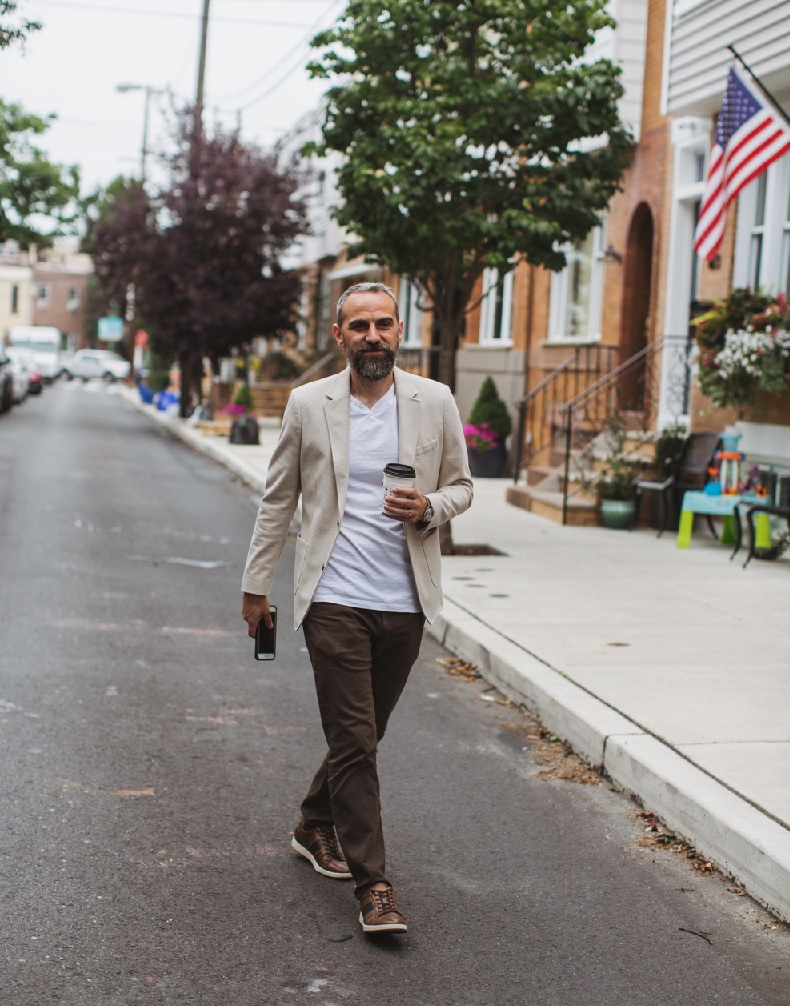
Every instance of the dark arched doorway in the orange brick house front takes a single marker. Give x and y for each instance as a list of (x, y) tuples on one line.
[(638, 290)]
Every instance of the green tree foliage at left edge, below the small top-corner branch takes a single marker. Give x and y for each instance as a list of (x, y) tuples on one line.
[(38, 198)]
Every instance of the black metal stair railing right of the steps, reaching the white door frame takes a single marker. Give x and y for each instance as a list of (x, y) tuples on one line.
[(658, 377)]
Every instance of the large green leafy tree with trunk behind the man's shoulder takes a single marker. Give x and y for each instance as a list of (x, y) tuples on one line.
[(473, 133)]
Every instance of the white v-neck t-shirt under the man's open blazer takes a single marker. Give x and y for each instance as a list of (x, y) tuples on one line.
[(370, 566)]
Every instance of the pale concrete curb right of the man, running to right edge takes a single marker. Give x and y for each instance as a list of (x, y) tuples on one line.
[(737, 837)]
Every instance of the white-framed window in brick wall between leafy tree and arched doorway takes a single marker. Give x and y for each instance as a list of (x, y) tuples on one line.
[(575, 313)]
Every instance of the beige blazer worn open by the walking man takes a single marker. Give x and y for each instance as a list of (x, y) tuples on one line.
[(311, 459)]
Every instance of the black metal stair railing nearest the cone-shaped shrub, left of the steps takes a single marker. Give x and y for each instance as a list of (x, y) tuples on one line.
[(541, 417)]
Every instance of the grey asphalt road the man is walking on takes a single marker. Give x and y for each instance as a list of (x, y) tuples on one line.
[(152, 773)]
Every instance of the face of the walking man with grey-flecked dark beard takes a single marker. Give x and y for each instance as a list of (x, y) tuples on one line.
[(370, 336)]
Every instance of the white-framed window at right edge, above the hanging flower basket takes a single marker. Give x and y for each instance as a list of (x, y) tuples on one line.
[(774, 267)]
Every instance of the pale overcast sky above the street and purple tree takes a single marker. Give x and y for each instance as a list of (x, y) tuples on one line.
[(256, 58)]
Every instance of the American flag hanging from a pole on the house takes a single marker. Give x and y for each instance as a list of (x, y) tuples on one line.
[(751, 135)]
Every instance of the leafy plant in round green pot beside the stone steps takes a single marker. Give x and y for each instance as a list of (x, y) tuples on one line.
[(613, 481)]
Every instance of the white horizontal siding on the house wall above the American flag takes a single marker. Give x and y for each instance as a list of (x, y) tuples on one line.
[(701, 33)]
